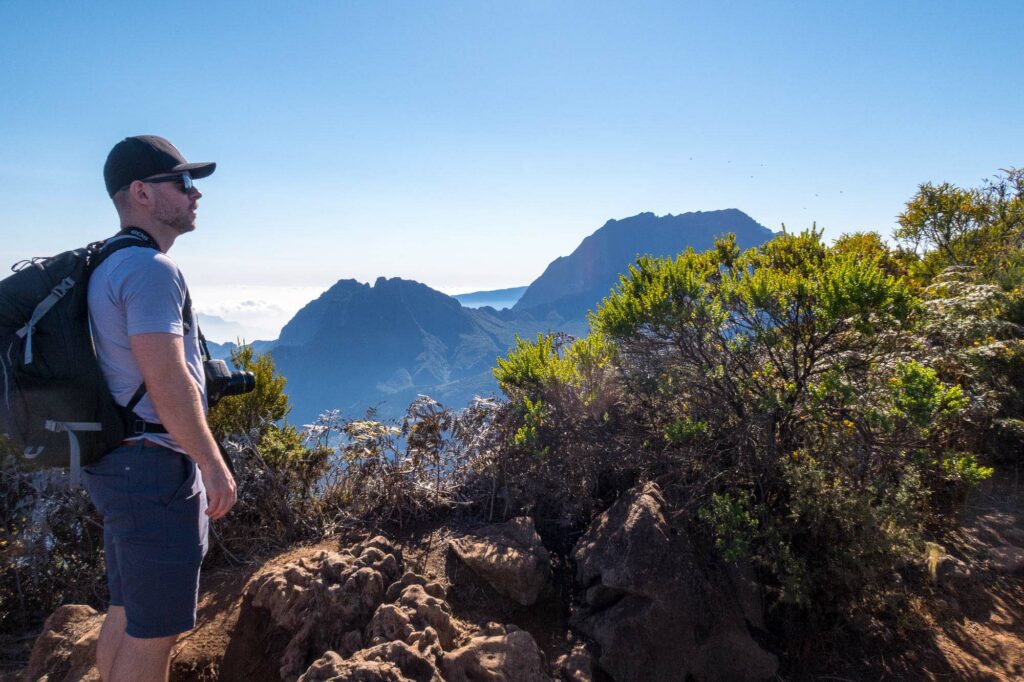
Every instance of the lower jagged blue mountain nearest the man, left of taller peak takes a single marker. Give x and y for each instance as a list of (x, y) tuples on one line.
[(360, 346)]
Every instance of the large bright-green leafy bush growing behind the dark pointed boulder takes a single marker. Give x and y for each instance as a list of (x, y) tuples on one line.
[(795, 396)]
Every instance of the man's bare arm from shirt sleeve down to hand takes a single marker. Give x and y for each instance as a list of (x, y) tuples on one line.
[(180, 406)]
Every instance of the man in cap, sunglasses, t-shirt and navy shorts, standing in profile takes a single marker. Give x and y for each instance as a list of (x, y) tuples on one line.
[(158, 491)]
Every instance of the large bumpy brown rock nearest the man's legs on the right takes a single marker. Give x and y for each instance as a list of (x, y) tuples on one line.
[(292, 614)]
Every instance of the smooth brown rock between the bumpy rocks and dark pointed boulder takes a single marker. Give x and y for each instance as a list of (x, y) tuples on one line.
[(509, 557)]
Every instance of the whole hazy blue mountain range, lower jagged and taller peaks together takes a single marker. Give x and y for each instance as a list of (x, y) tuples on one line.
[(360, 346)]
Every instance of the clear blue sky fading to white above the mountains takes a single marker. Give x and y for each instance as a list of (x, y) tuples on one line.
[(467, 145)]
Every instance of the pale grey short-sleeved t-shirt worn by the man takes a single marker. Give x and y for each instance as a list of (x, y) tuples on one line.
[(140, 290)]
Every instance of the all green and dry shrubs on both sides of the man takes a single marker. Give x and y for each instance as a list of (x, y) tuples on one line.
[(818, 411)]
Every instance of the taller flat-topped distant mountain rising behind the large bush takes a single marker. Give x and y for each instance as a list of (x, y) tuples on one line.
[(572, 285)]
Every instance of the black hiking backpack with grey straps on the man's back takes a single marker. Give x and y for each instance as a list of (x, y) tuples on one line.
[(56, 407)]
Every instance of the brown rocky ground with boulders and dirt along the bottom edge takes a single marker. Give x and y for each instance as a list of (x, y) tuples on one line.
[(635, 604)]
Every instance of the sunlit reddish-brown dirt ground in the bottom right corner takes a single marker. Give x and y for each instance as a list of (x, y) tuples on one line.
[(968, 632)]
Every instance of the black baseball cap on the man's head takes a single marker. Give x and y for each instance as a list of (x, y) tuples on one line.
[(144, 156)]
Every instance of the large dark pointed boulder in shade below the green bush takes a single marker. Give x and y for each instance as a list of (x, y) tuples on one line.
[(658, 611)]
